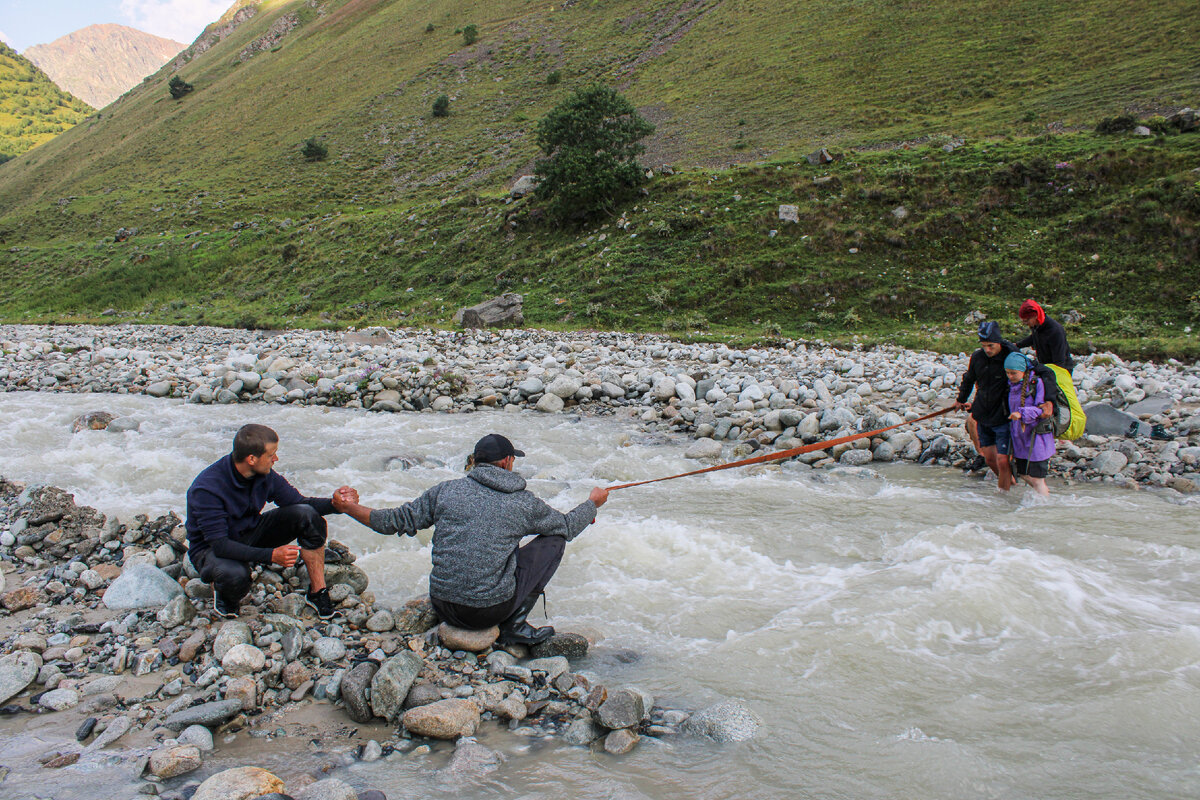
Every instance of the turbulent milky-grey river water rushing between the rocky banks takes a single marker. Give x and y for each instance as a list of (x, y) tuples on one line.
[(908, 635)]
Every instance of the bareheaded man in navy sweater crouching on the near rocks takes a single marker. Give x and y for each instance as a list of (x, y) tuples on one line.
[(227, 531)]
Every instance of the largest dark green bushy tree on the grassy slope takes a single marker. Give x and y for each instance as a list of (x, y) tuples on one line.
[(592, 141)]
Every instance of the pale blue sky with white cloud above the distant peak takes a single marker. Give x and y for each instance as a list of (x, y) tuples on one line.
[(25, 23)]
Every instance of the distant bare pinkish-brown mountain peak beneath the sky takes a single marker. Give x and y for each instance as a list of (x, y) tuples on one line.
[(100, 63)]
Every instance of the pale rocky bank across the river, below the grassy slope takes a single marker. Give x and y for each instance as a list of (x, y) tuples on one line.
[(734, 402)]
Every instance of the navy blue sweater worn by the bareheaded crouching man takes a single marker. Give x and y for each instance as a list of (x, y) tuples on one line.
[(224, 507)]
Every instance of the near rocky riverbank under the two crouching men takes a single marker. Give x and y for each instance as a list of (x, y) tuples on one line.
[(110, 643)]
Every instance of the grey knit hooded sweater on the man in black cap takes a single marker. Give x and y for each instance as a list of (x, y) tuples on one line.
[(479, 522)]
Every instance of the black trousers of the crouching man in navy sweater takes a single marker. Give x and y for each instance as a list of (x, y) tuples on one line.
[(231, 579)]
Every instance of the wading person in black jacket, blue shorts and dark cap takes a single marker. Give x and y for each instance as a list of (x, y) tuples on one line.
[(988, 422)]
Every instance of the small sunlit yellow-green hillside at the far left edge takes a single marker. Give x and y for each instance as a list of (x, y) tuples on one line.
[(33, 110)]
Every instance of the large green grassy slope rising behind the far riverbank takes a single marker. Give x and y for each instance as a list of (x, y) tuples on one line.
[(724, 81)]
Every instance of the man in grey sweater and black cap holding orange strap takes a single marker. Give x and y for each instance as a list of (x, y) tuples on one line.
[(482, 576)]
